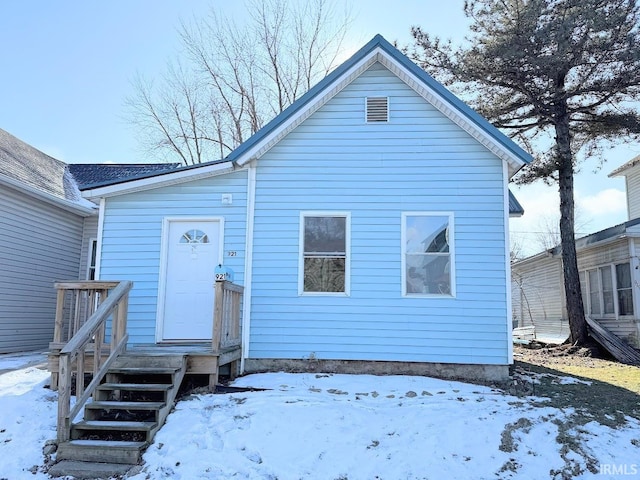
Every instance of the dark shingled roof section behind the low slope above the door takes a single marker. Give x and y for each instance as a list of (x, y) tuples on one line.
[(92, 175)]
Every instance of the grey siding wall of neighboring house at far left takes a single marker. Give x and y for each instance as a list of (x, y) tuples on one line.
[(39, 244)]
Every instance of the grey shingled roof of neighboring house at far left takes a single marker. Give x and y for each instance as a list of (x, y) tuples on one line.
[(38, 174)]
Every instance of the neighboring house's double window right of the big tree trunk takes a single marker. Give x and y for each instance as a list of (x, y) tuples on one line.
[(609, 293)]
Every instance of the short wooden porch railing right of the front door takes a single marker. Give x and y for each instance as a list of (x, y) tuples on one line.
[(227, 314)]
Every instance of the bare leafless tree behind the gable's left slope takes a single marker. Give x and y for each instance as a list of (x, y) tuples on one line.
[(234, 78)]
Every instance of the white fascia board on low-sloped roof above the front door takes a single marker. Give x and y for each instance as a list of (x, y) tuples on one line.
[(162, 180)]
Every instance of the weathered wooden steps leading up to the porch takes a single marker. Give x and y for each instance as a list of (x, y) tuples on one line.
[(128, 409)]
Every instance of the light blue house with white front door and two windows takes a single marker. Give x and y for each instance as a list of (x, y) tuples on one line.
[(368, 224)]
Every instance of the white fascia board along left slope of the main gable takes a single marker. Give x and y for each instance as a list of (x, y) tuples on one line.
[(307, 110)]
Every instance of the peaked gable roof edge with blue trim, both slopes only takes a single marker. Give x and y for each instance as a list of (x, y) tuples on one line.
[(380, 50)]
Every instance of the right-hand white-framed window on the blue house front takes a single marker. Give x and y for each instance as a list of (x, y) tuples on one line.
[(427, 243)]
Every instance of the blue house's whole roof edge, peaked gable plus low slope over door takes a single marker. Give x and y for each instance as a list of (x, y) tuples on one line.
[(376, 50)]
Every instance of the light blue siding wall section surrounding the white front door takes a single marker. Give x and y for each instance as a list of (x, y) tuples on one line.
[(132, 235)]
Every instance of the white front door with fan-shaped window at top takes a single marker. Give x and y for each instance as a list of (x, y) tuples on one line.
[(191, 255)]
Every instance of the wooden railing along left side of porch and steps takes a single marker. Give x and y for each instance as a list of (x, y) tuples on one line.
[(87, 341)]
